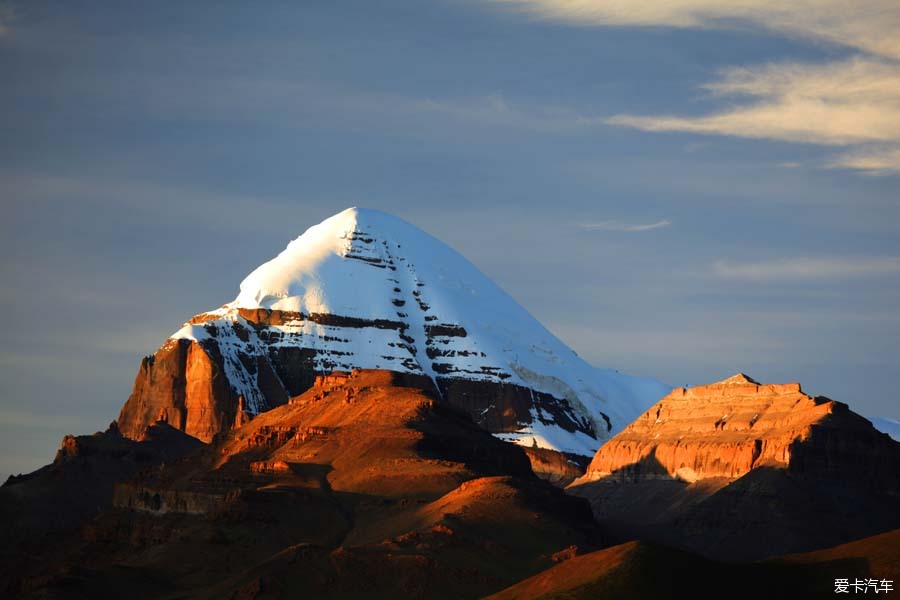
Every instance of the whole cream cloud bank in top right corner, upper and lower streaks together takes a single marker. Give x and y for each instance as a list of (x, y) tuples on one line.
[(853, 104)]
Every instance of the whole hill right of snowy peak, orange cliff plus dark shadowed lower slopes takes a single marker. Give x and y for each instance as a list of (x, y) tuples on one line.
[(742, 470)]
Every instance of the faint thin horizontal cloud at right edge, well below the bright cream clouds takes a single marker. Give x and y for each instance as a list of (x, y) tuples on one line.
[(807, 268)]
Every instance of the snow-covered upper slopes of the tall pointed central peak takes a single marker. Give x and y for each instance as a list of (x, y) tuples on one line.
[(364, 289)]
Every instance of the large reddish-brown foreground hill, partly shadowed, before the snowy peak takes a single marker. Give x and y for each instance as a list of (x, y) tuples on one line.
[(363, 486)]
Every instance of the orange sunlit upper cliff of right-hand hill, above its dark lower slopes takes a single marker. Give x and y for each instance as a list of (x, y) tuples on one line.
[(726, 429)]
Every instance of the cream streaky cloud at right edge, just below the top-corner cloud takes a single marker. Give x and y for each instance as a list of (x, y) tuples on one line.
[(852, 103)]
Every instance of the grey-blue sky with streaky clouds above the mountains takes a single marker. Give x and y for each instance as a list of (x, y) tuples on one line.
[(684, 192)]
